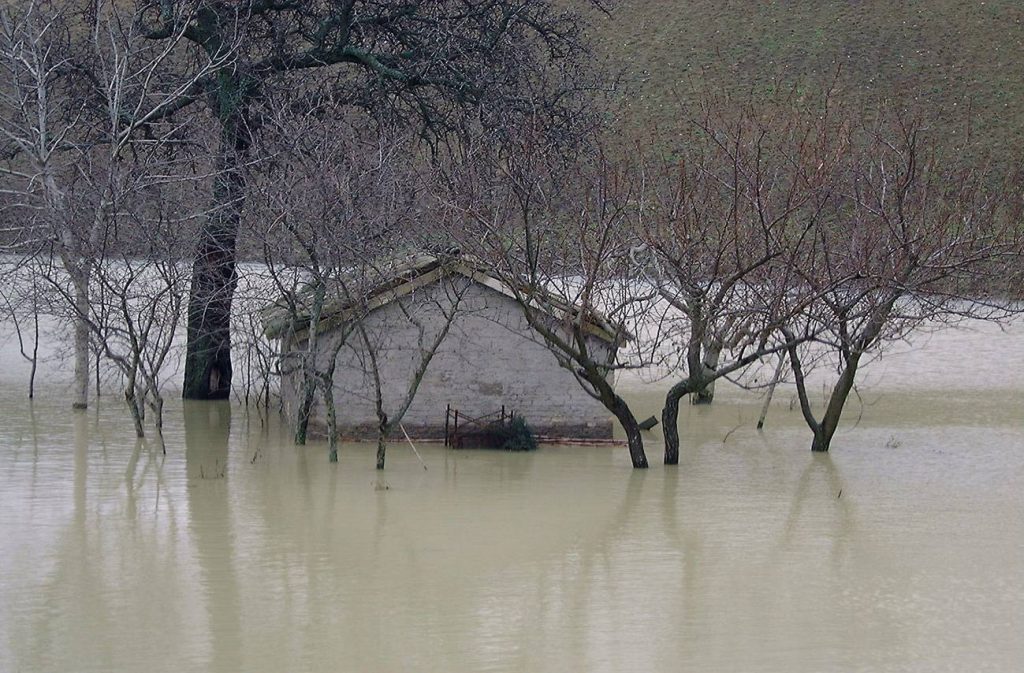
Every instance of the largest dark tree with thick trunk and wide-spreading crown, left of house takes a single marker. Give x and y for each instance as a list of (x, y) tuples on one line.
[(429, 63)]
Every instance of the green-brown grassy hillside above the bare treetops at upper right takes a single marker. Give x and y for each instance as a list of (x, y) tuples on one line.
[(942, 57)]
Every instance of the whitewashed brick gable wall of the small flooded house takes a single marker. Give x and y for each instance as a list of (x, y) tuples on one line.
[(491, 358)]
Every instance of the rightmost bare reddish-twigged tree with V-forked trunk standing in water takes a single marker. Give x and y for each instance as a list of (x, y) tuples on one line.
[(917, 237)]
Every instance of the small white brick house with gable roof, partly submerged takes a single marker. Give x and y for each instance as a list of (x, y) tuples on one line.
[(490, 362)]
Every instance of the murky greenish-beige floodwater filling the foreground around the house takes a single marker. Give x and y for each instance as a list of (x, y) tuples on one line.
[(903, 551)]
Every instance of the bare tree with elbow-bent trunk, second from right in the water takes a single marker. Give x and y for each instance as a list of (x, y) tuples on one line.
[(719, 222)]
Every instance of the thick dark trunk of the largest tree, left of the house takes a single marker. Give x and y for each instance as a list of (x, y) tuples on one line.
[(208, 356)]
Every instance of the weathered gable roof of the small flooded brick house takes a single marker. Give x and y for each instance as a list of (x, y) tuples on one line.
[(398, 278)]
